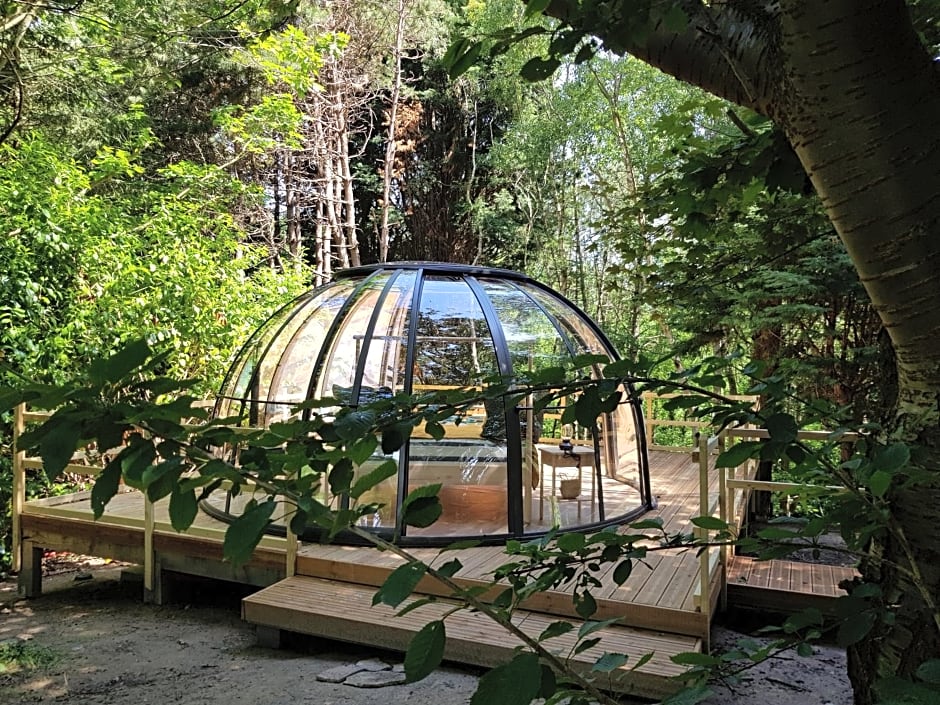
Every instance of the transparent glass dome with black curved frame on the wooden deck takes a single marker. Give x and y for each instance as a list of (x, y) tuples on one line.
[(505, 471)]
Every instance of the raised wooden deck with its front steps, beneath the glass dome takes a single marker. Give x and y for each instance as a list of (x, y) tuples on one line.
[(330, 587)]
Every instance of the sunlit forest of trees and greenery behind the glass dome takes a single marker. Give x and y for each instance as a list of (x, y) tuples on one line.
[(180, 169)]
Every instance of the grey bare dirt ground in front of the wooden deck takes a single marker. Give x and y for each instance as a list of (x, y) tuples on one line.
[(106, 646)]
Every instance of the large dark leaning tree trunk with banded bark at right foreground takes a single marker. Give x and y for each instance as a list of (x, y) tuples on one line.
[(858, 97)]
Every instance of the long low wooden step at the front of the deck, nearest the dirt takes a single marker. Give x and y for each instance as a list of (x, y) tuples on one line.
[(343, 611)]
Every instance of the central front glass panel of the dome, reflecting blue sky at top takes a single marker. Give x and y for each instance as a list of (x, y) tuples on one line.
[(454, 348)]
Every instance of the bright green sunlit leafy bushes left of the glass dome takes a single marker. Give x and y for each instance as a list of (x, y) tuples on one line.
[(97, 256)]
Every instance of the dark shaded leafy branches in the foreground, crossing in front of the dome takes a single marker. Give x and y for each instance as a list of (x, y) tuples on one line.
[(291, 461)]
